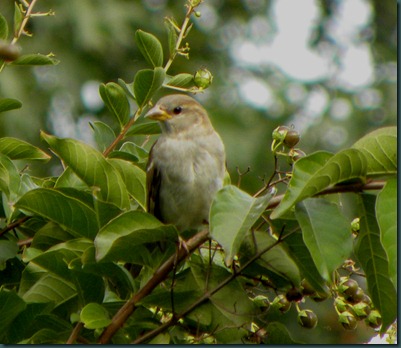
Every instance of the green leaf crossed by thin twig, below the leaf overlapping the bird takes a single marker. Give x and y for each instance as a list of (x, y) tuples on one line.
[(276, 263)]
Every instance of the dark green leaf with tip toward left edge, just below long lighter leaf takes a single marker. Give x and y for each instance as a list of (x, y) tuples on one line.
[(70, 213)]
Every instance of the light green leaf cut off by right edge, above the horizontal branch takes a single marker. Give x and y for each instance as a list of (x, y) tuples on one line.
[(380, 150)]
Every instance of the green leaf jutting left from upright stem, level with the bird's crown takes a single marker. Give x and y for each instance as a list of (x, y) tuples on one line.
[(116, 101)]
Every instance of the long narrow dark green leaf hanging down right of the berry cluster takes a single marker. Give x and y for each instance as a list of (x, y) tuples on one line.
[(373, 258)]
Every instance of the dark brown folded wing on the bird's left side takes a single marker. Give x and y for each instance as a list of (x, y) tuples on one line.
[(153, 182)]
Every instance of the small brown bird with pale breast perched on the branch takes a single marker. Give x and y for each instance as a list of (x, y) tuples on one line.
[(186, 164)]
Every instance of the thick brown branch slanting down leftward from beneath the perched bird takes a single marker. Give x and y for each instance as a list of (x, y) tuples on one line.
[(128, 308)]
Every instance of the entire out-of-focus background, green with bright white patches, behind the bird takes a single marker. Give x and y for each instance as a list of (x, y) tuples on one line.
[(327, 67)]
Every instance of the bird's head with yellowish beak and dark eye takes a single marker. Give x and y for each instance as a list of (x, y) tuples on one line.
[(180, 114)]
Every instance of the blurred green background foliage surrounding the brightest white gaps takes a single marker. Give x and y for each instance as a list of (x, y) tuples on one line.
[(94, 40)]
